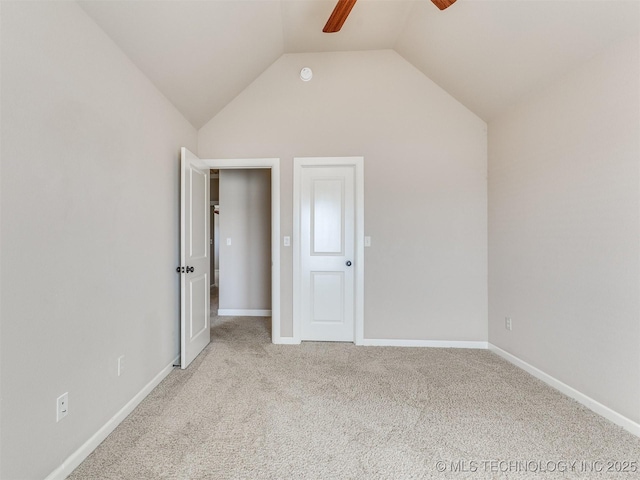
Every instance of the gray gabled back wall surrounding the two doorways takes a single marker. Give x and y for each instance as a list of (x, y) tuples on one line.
[(425, 181)]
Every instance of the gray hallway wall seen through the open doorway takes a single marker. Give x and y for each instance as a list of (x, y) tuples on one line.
[(245, 218)]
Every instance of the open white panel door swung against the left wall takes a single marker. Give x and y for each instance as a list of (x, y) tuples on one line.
[(194, 257)]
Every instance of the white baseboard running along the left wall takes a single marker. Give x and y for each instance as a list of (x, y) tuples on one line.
[(77, 457)]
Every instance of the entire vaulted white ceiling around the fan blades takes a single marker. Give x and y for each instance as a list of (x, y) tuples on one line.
[(486, 53)]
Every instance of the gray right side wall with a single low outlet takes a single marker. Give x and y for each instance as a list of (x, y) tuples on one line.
[(564, 229)]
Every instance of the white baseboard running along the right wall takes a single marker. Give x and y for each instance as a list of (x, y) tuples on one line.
[(580, 397)]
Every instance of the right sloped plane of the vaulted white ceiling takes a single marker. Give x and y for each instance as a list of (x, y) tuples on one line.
[(488, 54)]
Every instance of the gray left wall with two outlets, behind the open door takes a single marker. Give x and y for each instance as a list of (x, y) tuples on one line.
[(89, 232)]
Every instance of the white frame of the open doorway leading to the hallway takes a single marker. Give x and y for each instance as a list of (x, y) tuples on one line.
[(274, 165)]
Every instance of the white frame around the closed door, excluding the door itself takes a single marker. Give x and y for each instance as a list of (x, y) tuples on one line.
[(358, 163)]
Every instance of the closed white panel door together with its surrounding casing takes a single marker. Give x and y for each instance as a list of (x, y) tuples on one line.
[(328, 253)]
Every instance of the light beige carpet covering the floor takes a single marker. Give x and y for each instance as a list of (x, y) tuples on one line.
[(248, 409)]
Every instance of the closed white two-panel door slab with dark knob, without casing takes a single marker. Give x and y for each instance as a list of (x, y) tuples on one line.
[(327, 253)]
